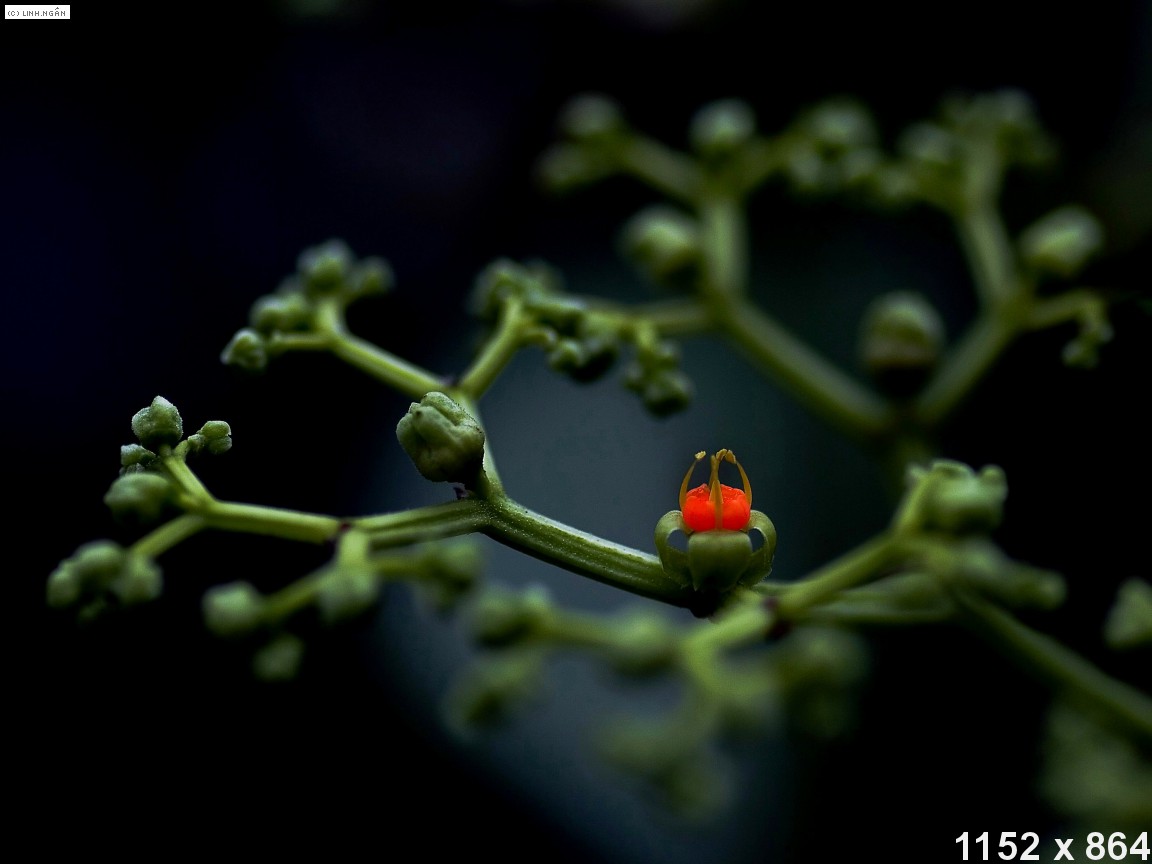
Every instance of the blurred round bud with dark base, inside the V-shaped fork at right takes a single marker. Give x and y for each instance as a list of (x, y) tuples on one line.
[(901, 340)]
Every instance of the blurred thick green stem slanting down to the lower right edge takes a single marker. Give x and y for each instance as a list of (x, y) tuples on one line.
[(1058, 666)]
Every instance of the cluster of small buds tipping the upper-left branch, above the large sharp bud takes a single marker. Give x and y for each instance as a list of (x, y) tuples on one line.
[(328, 279)]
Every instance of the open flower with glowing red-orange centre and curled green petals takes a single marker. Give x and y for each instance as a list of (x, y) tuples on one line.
[(717, 520)]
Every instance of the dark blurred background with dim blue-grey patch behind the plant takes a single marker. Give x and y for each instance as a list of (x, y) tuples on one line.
[(158, 178)]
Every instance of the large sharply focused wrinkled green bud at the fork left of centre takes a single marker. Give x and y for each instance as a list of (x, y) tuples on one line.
[(444, 442)]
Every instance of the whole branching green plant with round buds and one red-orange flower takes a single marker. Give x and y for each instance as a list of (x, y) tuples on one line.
[(936, 563)]
